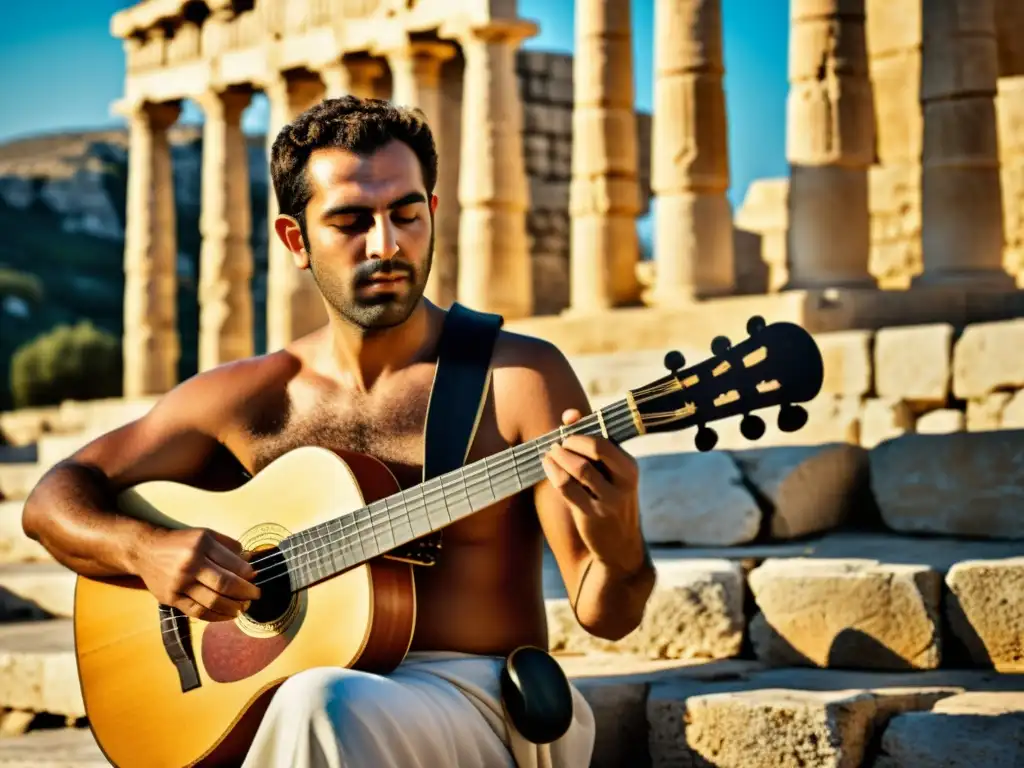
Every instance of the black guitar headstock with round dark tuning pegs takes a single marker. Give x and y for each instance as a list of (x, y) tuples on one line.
[(778, 365)]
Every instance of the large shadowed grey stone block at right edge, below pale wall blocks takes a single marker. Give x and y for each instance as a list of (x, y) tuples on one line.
[(967, 484)]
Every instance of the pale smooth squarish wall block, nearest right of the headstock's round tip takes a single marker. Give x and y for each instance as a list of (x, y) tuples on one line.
[(914, 364)]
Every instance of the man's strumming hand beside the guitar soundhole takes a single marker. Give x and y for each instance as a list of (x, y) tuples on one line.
[(199, 572)]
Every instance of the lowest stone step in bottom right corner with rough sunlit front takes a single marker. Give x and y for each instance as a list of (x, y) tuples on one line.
[(833, 719)]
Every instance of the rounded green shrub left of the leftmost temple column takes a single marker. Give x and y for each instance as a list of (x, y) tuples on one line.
[(79, 363)]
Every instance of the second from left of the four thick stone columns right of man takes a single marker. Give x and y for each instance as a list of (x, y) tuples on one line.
[(690, 155)]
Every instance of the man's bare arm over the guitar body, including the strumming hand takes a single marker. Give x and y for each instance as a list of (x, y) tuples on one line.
[(73, 514)]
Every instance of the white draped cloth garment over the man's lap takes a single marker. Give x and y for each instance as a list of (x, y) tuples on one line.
[(437, 710)]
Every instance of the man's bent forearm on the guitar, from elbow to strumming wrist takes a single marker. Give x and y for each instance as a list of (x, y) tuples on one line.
[(72, 514)]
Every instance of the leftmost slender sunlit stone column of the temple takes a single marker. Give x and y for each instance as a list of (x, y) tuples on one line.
[(151, 339)]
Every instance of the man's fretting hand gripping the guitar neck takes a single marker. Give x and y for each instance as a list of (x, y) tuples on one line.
[(600, 482)]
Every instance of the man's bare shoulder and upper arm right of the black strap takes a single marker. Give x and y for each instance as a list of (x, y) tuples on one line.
[(535, 383)]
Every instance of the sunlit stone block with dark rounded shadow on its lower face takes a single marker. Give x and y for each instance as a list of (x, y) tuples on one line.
[(854, 614)]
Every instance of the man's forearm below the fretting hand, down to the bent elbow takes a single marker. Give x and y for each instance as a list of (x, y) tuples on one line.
[(612, 602)]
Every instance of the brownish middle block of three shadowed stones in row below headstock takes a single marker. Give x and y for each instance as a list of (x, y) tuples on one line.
[(812, 489)]
